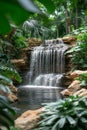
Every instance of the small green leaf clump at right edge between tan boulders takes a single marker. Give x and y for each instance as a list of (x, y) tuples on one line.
[(83, 80)]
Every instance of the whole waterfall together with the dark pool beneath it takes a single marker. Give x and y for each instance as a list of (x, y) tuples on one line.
[(43, 82)]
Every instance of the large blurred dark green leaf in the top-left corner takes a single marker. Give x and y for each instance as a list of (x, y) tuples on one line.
[(11, 11)]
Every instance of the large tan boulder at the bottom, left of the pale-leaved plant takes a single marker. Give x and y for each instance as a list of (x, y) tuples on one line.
[(29, 119)]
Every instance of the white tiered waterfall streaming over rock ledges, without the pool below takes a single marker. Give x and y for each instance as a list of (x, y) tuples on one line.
[(47, 64)]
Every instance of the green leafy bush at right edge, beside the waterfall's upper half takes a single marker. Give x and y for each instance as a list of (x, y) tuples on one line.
[(79, 52)]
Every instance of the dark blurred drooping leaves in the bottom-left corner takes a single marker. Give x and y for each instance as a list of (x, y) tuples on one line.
[(6, 113)]
